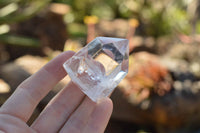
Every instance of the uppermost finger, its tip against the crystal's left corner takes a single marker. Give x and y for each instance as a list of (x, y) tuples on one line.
[(26, 97)]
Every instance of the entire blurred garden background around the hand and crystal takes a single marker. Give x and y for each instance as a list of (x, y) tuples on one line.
[(160, 94)]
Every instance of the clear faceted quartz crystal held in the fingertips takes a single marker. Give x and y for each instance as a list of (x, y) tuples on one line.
[(99, 67)]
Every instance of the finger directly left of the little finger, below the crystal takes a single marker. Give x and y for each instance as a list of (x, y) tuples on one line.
[(78, 120)]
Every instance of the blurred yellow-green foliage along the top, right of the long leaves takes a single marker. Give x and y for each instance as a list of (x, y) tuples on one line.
[(157, 17)]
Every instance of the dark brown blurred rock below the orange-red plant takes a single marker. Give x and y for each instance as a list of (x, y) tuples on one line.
[(167, 114)]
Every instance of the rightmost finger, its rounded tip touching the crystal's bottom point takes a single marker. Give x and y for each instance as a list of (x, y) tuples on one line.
[(99, 117)]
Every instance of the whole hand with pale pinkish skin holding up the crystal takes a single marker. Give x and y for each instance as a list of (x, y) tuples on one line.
[(70, 111)]
